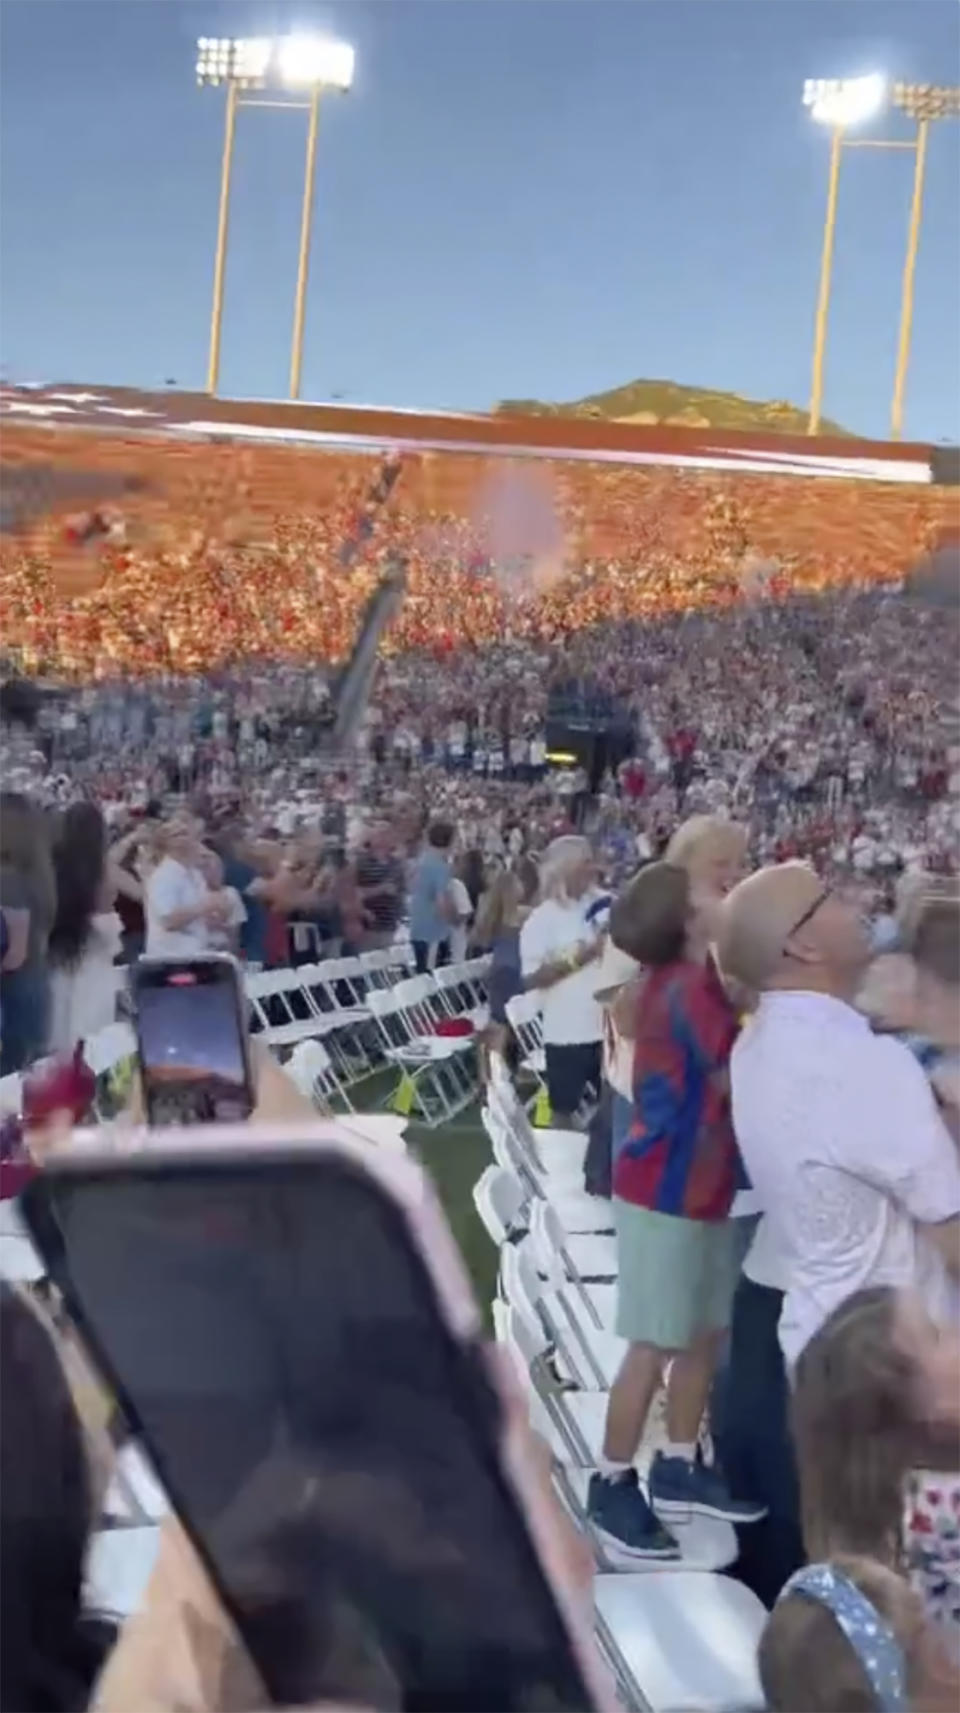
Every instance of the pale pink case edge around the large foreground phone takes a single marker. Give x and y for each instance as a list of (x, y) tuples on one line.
[(414, 1195)]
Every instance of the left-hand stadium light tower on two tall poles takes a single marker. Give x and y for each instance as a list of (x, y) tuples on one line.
[(296, 68)]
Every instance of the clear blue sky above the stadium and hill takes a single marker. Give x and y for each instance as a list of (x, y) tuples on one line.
[(520, 198)]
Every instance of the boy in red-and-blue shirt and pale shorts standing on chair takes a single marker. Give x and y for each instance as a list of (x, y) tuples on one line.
[(675, 1183)]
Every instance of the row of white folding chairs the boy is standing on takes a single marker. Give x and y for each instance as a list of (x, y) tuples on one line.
[(673, 1635)]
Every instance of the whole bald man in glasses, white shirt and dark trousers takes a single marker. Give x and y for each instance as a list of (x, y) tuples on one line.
[(851, 1164)]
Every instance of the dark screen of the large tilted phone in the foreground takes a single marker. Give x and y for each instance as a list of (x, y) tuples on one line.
[(273, 1335)]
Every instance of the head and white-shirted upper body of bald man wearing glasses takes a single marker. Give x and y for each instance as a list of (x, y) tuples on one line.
[(837, 1126)]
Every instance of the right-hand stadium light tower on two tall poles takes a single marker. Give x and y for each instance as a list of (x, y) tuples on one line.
[(844, 104)]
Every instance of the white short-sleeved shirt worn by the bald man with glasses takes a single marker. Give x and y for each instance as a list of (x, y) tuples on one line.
[(848, 1155)]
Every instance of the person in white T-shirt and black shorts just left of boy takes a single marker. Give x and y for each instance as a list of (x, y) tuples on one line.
[(560, 945)]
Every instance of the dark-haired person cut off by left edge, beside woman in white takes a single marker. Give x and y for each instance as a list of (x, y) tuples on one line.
[(27, 885)]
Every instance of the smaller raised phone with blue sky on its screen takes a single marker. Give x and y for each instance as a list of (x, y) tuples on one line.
[(193, 1042)]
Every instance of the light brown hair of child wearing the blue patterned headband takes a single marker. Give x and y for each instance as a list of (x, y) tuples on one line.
[(808, 1666)]
